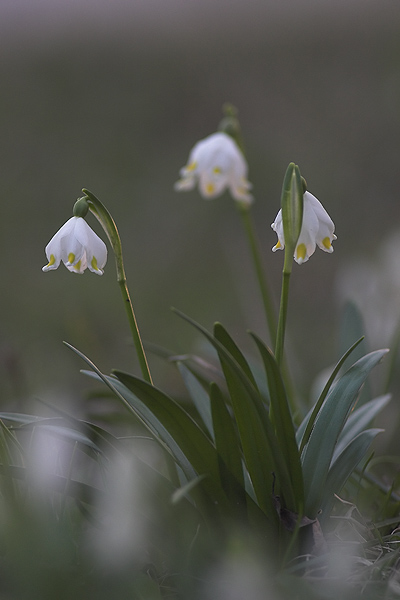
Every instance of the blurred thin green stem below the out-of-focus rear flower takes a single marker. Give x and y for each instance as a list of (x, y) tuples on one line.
[(269, 308)]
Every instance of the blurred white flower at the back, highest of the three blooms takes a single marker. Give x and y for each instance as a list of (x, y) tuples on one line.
[(216, 163)]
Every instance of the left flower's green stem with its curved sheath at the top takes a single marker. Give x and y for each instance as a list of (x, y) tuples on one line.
[(110, 228)]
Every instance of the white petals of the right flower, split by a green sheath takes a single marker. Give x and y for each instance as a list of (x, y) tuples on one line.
[(317, 229)]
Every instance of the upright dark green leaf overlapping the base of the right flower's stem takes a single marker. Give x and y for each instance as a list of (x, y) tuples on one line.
[(282, 420)]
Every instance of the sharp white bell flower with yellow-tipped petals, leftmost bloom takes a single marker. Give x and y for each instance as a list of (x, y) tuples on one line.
[(78, 247)]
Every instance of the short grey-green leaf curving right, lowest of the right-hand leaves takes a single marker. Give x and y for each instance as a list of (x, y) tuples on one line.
[(344, 465)]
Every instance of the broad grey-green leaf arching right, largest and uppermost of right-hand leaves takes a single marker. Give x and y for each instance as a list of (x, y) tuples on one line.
[(318, 453)]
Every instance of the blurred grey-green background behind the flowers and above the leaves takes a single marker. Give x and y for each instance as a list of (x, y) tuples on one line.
[(112, 95)]
